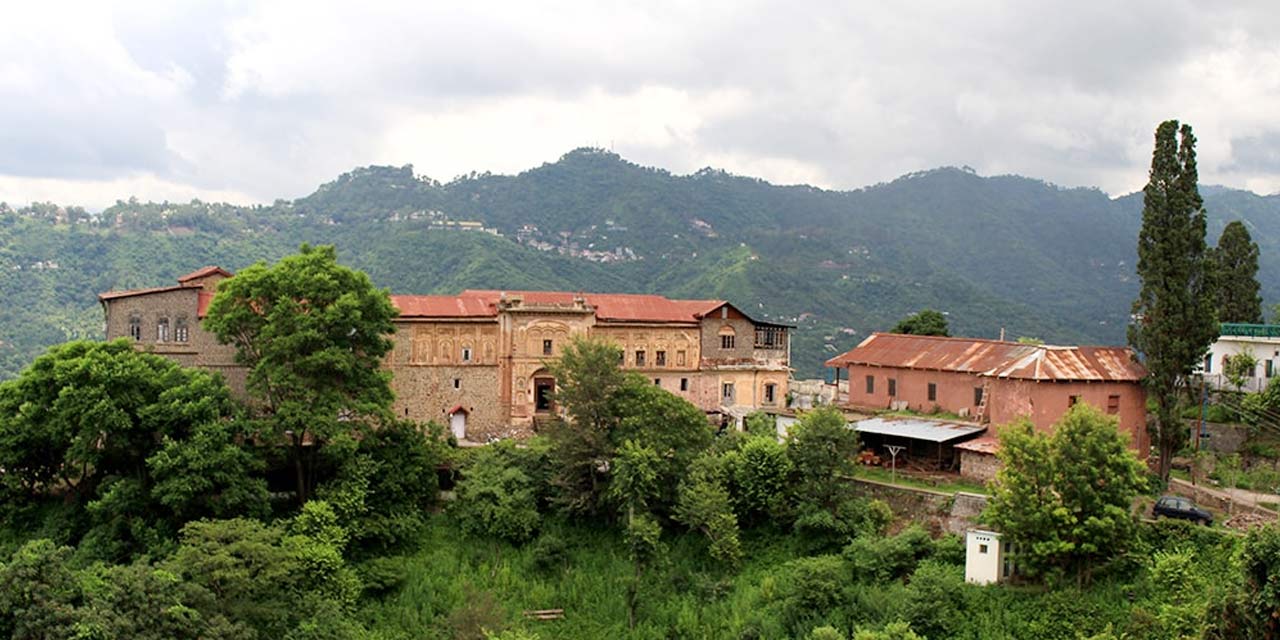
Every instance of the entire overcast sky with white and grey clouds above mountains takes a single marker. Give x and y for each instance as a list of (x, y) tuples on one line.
[(253, 102)]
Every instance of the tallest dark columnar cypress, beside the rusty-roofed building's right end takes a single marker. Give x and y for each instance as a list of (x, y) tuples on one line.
[(1174, 321)]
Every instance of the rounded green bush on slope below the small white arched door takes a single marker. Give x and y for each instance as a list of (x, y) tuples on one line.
[(496, 499)]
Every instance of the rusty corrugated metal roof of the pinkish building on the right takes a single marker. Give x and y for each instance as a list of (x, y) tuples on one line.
[(995, 359)]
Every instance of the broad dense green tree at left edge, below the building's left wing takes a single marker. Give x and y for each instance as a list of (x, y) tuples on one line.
[(88, 412)]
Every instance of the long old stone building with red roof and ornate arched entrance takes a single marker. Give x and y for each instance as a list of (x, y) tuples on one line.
[(478, 362)]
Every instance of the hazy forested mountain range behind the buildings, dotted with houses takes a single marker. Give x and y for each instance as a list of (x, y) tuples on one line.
[(993, 253)]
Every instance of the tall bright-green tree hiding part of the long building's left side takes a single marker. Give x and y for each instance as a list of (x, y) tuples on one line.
[(313, 335)]
